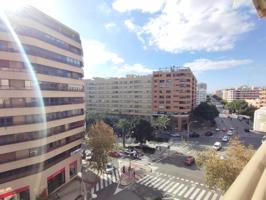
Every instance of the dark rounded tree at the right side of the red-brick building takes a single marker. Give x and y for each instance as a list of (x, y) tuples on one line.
[(205, 111)]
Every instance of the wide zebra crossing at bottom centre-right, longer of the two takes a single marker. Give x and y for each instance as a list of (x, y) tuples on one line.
[(178, 188)]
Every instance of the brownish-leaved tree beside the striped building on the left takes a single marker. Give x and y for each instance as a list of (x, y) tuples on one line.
[(101, 140)]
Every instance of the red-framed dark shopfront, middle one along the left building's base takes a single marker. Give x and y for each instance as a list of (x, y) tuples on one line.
[(56, 180)]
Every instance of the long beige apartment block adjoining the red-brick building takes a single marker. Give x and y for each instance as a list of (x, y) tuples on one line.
[(130, 95)]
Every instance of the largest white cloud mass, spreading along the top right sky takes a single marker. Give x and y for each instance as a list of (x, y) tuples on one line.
[(190, 25)]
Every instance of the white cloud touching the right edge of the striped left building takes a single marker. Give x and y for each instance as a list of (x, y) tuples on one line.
[(95, 54)]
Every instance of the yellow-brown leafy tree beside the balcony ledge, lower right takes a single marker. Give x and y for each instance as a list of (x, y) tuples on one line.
[(221, 172)]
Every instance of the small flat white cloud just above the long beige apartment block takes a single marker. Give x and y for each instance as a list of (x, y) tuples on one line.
[(126, 69)]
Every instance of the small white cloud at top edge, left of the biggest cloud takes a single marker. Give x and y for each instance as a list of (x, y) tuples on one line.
[(150, 6)]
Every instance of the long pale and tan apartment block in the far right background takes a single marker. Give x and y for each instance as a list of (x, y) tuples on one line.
[(241, 93)]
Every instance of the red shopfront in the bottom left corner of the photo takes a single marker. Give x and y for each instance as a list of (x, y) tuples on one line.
[(18, 194)]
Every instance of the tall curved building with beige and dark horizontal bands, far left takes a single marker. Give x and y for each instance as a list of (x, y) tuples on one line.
[(37, 148)]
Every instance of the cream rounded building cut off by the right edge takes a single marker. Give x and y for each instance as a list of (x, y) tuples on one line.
[(260, 120)]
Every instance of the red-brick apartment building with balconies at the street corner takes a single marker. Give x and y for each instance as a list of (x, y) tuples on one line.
[(174, 94)]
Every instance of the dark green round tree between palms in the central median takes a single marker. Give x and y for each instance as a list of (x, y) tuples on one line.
[(143, 131)]
